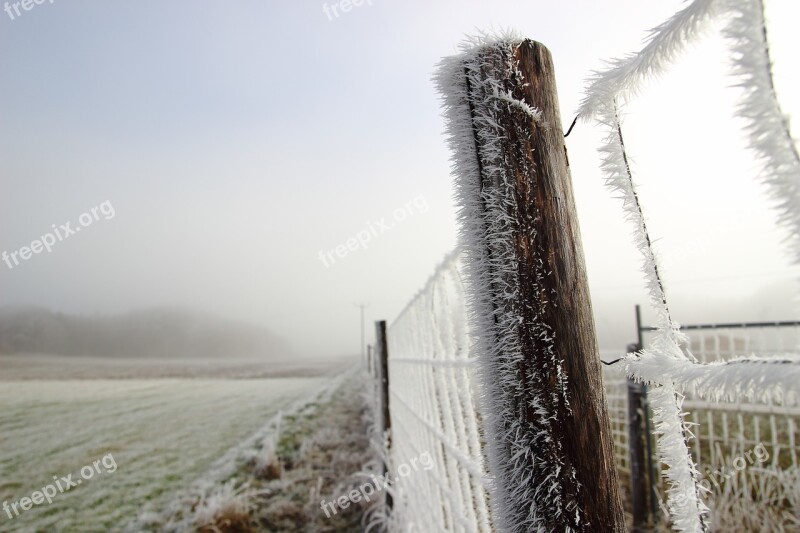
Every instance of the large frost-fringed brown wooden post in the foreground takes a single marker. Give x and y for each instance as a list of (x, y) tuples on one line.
[(550, 443)]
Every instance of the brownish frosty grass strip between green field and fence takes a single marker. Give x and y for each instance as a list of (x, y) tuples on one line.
[(316, 450)]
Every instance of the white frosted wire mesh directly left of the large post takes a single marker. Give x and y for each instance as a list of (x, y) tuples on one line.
[(433, 398)]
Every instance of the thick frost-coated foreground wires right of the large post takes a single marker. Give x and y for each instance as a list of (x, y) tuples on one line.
[(668, 363)]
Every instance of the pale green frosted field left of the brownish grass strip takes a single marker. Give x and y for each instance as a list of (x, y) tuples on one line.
[(163, 434)]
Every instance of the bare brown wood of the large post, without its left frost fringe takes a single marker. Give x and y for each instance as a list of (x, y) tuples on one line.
[(559, 368)]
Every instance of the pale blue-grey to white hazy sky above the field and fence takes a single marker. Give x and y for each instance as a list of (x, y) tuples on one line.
[(235, 141)]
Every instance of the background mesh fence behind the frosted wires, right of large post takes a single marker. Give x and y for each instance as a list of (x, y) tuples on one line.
[(747, 449)]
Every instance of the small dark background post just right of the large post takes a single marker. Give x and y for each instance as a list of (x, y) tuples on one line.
[(636, 448)]
